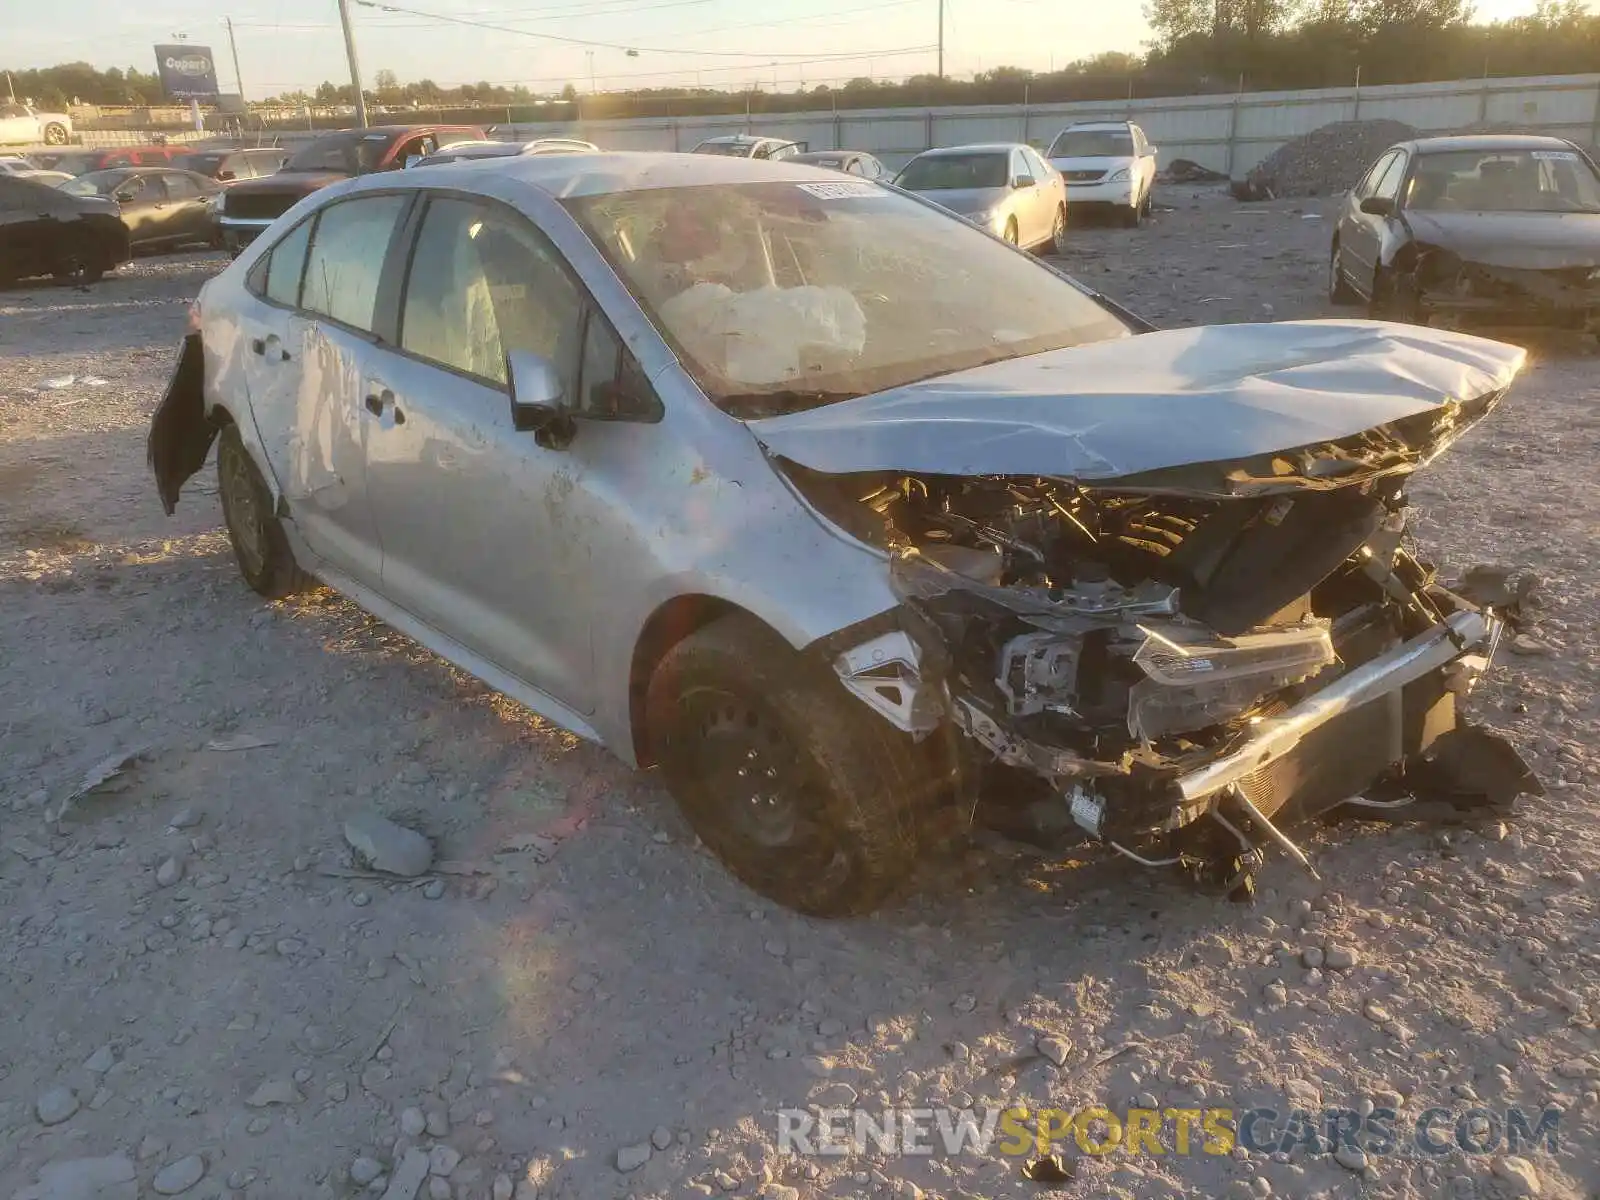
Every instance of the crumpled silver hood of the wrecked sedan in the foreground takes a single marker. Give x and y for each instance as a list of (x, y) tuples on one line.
[(1151, 402)]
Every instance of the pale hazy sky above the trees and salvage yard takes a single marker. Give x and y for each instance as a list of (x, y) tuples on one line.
[(297, 44)]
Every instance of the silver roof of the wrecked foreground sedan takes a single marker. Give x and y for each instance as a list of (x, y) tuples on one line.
[(580, 175)]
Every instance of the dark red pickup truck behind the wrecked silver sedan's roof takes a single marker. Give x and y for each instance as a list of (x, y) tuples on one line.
[(252, 206)]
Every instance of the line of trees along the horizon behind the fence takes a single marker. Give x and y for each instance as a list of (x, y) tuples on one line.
[(1198, 47)]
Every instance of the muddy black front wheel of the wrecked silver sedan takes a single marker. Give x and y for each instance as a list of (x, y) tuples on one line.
[(836, 830)]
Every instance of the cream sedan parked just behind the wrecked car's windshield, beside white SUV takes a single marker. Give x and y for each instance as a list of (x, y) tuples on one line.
[(1004, 188)]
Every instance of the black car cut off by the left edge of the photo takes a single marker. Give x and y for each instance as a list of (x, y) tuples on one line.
[(46, 231)]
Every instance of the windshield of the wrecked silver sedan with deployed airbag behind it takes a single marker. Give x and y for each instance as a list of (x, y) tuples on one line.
[(780, 297)]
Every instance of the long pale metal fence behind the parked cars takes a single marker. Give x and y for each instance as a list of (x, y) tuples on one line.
[(1223, 134)]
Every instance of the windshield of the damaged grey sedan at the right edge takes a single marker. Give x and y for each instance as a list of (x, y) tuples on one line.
[(1503, 182)]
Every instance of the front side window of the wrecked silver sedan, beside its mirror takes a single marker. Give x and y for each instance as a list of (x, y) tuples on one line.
[(484, 282)]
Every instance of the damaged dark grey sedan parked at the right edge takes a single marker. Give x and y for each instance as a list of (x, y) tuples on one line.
[(1492, 231)]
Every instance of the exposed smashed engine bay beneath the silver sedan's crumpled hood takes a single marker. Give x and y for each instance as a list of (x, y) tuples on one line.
[(1137, 662)]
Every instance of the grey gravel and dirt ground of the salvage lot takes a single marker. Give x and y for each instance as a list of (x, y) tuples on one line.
[(183, 956)]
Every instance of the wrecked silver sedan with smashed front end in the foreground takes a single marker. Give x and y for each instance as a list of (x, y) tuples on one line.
[(850, 518)]
